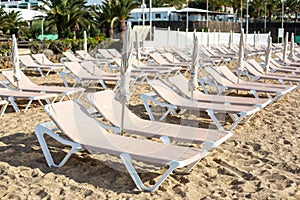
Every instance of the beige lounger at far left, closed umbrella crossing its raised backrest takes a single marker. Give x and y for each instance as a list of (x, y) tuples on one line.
[(25, 84)]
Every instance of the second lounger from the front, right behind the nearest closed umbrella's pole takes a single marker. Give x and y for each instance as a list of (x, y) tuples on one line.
[(110, 109)]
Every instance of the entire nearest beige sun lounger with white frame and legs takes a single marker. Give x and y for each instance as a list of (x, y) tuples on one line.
[(74, 121)]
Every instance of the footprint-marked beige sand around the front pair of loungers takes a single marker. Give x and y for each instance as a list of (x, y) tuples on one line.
[(260, 161)]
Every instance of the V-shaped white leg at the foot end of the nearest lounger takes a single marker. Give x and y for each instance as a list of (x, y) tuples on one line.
[(137, 180)]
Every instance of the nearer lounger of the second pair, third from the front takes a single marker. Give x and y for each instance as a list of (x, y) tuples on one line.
[(174, 101)]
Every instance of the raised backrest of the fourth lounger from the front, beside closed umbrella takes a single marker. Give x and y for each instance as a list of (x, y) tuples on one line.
[(181, 83)]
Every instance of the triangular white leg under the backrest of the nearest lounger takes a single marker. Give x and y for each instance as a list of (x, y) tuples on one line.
[(40, 131)]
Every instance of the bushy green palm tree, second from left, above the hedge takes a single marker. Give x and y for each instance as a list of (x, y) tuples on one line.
[(67, 15)]
